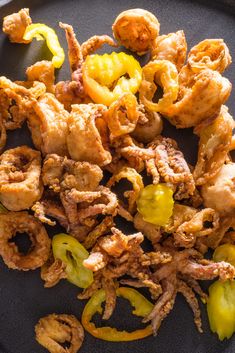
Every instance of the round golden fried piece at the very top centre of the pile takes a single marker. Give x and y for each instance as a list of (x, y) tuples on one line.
[(136, 30)]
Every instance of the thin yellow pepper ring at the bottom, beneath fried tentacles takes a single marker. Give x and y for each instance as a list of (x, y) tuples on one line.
[(142, 308)]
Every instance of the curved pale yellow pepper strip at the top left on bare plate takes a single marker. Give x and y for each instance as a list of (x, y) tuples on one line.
[(40, 31)]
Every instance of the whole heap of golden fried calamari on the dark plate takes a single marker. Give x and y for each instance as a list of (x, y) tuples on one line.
[(93, 126)]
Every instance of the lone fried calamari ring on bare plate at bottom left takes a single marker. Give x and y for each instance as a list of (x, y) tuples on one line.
[(55, 329)]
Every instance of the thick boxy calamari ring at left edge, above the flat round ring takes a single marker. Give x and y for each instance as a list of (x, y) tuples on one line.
[(20, 178)]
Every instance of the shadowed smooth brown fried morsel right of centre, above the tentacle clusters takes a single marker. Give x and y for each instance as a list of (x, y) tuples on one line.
[(145, 131)]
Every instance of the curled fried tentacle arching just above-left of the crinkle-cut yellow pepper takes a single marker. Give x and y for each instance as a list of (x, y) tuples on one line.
[(94, 43)]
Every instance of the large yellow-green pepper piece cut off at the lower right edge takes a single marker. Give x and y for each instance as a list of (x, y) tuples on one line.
[(221, 308)]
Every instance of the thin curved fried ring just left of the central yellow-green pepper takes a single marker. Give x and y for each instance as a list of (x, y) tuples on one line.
[(137, 182)]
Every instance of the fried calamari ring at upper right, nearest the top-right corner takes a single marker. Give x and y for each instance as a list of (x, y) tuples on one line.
[(209, 54)]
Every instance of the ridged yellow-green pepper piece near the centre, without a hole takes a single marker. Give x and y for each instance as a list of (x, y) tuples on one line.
[(155, 204)]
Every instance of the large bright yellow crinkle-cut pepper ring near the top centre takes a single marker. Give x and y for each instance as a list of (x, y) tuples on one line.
[(104, 76)]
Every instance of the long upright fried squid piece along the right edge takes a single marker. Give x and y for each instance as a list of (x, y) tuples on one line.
[(214, 145)]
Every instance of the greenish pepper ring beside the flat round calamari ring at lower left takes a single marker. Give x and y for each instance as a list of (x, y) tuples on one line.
[(72, 253)]
